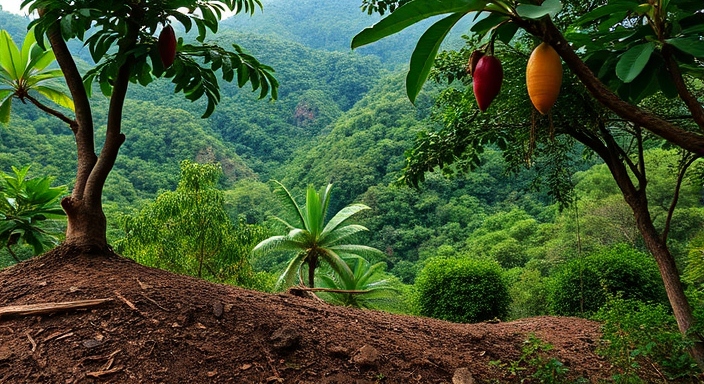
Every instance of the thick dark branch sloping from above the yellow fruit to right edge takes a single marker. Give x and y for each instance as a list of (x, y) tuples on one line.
[(549, 33)]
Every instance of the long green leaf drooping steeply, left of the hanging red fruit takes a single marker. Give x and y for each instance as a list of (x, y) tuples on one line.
[(423, 56)]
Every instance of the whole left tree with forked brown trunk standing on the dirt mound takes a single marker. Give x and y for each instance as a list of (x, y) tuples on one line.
[(121, 38)]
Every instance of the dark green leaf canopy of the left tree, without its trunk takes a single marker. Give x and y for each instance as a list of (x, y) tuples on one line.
[(123, 33)]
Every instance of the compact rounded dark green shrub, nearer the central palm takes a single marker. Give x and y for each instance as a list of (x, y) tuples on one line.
[(461, 290)]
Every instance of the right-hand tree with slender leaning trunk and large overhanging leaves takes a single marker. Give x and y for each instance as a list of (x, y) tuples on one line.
[(621, 51)]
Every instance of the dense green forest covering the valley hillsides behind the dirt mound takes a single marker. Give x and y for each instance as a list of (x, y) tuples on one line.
[(343, 118)]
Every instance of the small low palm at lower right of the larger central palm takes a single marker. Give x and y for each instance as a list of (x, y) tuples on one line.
[(369, 287)]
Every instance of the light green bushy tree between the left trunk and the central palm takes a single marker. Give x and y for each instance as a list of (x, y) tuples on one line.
[(189, 231)]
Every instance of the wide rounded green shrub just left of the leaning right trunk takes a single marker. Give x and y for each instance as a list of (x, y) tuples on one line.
[(580, 286)]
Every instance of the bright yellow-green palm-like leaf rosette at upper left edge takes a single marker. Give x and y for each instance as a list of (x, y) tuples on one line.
[(25, 70)]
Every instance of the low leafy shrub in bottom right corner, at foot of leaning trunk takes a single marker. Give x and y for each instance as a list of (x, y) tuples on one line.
[(639, 337)]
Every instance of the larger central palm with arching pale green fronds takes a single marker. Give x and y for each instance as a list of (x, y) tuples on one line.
[(311, 240)]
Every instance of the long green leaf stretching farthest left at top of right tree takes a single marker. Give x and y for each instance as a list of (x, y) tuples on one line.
[(411, 13)]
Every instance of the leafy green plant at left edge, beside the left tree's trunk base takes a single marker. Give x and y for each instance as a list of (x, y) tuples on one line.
[(26, 207)]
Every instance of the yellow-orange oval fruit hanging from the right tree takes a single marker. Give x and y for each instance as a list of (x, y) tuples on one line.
[(544, 77)]
